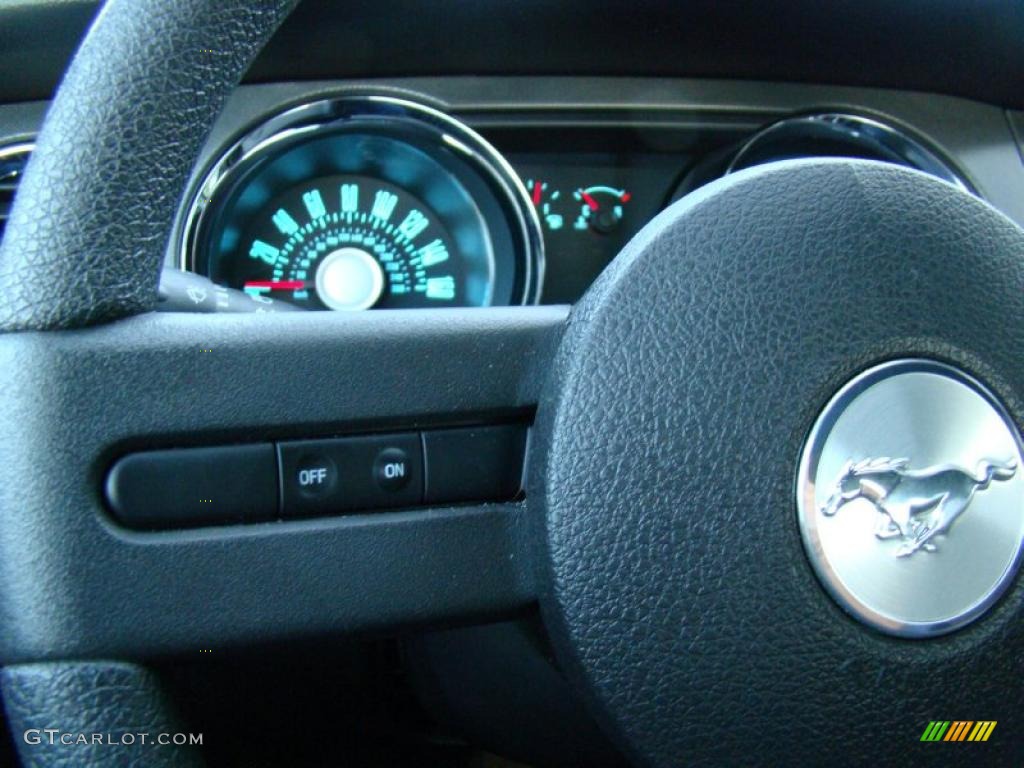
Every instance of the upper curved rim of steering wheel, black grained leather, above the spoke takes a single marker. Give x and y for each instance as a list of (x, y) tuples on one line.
[(90, 227)]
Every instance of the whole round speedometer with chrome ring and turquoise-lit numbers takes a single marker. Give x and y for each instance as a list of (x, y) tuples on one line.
[(363, 203)]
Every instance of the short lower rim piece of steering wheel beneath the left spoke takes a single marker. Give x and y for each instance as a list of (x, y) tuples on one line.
[(106, 698)]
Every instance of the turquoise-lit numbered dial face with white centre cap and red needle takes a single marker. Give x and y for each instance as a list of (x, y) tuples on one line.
[(352, 243)]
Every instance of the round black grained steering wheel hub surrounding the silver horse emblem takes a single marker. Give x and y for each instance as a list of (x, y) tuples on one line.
[(674, 580)]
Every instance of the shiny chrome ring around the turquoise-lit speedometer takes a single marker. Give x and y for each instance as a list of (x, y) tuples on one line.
[(336, 113)]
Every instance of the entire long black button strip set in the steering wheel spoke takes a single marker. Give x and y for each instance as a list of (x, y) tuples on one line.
[(231, 485)]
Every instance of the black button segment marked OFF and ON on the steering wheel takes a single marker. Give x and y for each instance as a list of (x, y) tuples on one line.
[(346, 475)]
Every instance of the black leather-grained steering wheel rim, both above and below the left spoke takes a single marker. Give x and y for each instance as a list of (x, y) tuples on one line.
[(86, 243)]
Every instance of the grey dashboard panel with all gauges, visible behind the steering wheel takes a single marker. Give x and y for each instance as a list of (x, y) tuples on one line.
[(481, 192)]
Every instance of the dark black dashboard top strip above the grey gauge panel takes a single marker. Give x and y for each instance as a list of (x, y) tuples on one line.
[(963, 48)]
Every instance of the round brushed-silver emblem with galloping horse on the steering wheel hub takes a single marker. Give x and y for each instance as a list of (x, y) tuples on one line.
[(911, 498)]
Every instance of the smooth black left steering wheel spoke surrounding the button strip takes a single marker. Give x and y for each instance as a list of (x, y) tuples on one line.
[(75, 585)]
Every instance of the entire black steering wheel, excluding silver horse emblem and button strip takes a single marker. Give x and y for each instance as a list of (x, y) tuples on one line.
[(659, 532)]
